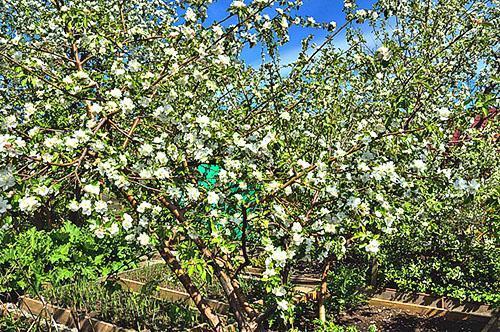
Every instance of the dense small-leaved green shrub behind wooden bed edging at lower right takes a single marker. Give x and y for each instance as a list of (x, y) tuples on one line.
[(449, 263)]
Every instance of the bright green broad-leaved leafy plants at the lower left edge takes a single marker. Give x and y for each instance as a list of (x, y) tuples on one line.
[(31, 258)]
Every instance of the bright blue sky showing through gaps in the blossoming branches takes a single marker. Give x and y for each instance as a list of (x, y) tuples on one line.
[(321, 10)]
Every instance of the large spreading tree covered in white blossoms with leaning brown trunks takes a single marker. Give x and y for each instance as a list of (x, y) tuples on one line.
[(109, 108)]
